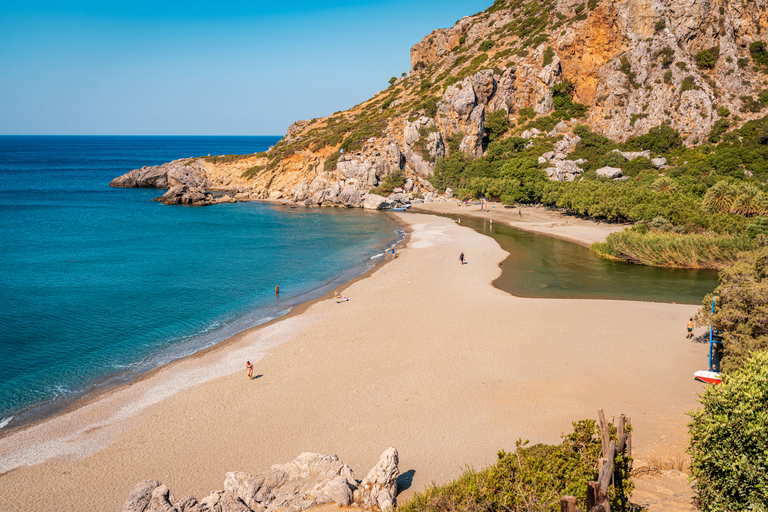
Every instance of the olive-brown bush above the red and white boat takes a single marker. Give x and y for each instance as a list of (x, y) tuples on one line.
[(741, 310)]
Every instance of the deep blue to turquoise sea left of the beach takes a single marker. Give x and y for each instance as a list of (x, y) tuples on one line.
[(100, 284)]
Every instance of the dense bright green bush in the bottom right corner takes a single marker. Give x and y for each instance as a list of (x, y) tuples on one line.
[(729, 441)]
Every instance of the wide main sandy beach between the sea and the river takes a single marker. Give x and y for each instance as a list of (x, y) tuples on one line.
[(426, 356)]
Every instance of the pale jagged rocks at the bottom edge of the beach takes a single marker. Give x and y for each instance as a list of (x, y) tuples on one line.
[(311, 479)]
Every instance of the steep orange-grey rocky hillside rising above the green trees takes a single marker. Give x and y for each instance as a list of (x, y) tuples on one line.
[(635, 64)]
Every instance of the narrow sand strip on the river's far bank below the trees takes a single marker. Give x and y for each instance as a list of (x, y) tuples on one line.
[(537, 219)]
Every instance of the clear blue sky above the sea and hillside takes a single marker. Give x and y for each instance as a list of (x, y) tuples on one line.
[(219, 67)]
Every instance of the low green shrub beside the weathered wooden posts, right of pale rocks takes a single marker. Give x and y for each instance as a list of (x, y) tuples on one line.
[(530, 478)]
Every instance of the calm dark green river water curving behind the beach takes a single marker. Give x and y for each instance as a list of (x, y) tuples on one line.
[(540, 266)]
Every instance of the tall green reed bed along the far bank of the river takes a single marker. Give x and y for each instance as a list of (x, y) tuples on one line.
[(665, 249)]
